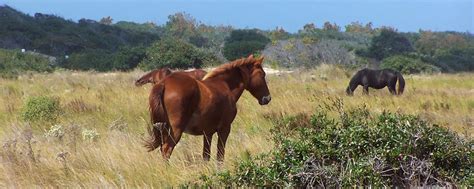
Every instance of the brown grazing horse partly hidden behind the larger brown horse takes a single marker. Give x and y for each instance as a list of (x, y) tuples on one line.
[(157, 75)]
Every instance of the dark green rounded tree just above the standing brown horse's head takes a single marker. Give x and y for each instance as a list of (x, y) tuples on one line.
[(241, 43)]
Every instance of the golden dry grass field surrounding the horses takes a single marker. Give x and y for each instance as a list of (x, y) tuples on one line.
[(110, 105)]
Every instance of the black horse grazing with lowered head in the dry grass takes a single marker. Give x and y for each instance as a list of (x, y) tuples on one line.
[(377, 79)]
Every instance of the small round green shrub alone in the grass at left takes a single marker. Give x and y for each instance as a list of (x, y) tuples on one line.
[(41, 109)]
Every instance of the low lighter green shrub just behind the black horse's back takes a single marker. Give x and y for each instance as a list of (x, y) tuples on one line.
[(408, 65)]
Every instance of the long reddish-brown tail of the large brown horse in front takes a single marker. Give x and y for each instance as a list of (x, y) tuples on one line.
[(158, 117)]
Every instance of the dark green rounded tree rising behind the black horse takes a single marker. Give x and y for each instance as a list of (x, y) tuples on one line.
[(389, 43)]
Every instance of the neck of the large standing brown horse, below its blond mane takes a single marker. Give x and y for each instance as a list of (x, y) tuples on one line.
[(233, 81)]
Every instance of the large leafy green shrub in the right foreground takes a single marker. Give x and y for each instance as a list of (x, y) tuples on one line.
[(356, 148)]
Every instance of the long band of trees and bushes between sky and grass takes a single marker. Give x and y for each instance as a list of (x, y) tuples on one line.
[(184, 42)]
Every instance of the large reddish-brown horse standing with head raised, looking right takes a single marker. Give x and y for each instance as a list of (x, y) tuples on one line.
[(180, 103)]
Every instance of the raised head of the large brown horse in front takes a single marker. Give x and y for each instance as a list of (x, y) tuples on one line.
[(256, 83)]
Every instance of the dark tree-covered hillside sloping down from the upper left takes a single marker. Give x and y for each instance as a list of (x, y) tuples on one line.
[(55, 36)]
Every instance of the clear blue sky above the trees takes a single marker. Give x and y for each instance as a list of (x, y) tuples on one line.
[(405, 15)]
